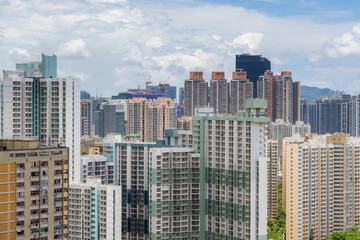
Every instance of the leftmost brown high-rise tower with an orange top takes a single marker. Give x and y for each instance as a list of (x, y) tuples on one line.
[(196, 93)]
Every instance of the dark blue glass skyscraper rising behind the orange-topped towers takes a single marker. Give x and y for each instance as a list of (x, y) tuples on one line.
[(254, 65)]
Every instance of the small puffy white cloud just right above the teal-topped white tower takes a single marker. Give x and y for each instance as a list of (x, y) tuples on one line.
[(74, 48)]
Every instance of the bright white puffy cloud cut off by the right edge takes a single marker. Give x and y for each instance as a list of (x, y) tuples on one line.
[(346, 45)]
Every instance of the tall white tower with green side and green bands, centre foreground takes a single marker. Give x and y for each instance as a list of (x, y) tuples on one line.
[(233, 173)]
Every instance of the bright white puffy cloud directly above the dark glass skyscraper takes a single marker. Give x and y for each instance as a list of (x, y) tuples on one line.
[(250, 40)]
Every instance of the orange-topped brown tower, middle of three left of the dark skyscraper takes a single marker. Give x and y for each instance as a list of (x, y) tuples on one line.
[(219, 93)]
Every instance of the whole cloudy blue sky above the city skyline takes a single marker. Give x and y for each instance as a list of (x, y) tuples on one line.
[(102, 41)]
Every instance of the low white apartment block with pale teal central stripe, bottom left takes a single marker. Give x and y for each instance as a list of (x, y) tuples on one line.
[(94, 211)]
